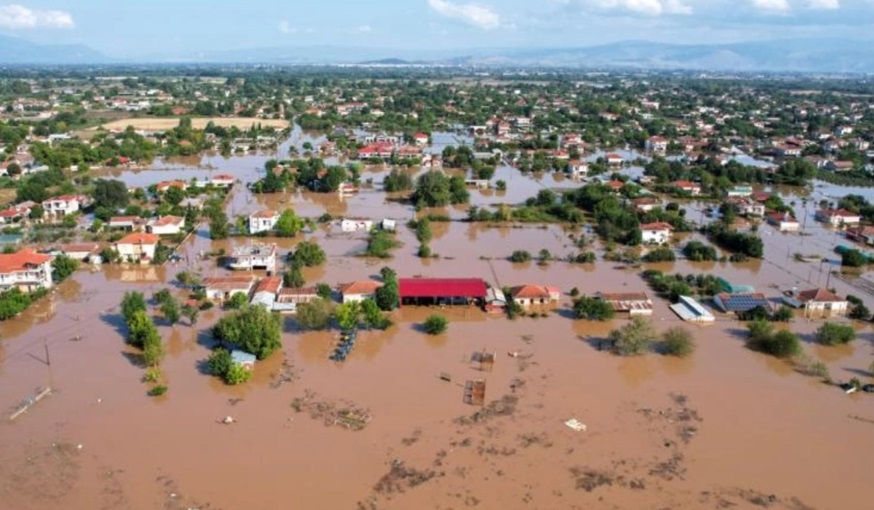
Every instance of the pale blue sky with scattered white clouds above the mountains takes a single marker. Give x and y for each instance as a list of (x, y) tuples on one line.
[(131, 28)]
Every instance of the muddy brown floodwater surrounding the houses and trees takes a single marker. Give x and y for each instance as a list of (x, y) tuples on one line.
[(723, 427)]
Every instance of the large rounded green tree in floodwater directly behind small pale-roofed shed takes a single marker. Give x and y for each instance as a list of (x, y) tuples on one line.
[(253, 329)]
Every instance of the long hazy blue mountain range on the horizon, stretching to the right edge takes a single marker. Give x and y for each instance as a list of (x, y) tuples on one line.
[(800, 55)]
